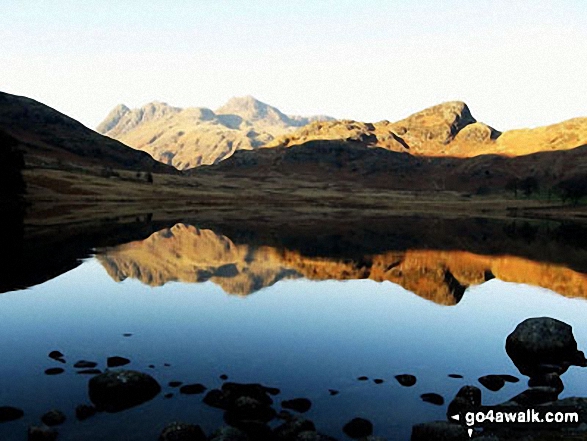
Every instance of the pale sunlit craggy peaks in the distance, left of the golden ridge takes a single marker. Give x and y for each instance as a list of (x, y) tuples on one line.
[(186, 138)]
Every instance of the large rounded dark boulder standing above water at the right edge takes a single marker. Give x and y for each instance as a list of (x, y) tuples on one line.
[(543, 341)]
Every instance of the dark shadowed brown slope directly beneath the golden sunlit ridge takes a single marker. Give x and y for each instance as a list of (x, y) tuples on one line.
[(359, 163)]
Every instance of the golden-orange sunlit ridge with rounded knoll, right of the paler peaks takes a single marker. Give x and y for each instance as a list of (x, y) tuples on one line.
[(448, 129)]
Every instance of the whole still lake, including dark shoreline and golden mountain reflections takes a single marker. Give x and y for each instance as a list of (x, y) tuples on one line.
[(308, 314)]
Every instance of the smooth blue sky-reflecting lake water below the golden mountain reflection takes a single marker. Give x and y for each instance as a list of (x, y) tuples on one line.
[(302, 336)]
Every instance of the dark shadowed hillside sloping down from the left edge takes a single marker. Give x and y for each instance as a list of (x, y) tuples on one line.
[(48, 138)]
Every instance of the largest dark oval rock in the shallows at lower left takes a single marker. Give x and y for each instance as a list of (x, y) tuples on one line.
[(114, 391)]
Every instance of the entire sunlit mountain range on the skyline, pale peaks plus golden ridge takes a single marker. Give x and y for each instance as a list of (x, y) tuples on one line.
[(187, 138)]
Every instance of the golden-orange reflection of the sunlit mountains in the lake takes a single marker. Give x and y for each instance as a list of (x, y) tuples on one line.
[(188, 254)]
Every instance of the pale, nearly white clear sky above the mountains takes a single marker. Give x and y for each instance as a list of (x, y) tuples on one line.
[(515, 63)]
